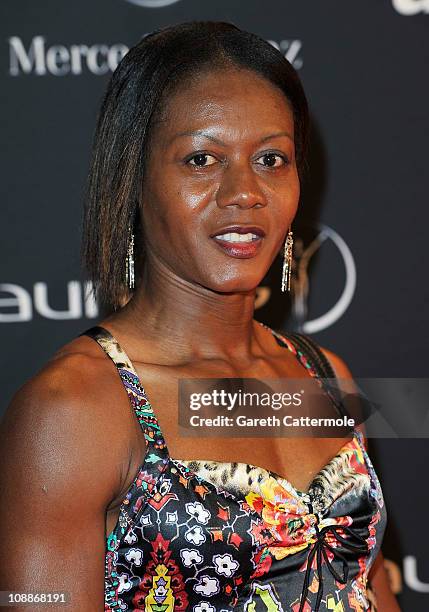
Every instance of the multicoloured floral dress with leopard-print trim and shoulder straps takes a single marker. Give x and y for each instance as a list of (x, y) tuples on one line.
[(211, 536)]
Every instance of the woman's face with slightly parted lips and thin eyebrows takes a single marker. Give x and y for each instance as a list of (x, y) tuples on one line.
[(221, 160)]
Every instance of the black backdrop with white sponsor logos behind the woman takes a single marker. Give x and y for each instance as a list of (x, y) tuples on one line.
[(360, 235)]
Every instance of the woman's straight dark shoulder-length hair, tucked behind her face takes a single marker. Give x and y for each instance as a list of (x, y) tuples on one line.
[(161, 62)]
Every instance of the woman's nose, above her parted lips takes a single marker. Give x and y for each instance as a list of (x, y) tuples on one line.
[(239, 186)]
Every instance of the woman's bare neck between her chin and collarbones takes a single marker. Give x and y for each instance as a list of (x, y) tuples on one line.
[(193, 320)]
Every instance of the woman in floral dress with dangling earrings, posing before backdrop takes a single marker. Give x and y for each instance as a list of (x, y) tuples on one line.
[(201, 137)]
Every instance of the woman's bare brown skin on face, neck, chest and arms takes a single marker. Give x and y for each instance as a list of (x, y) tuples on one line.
[(72, 446)]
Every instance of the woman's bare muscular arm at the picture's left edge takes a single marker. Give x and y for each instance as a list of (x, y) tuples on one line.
[(61, 465)]
